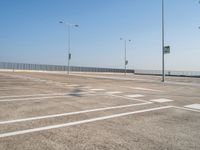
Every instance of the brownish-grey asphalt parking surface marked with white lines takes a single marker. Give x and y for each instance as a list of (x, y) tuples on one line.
[(56, 111)]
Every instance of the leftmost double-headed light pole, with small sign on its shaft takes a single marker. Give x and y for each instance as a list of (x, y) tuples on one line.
[(69, 25)]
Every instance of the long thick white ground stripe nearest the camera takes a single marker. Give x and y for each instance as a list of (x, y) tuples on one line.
[(8, 134)]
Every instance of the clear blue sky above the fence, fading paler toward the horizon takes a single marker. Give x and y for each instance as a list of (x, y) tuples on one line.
[(30, 32)]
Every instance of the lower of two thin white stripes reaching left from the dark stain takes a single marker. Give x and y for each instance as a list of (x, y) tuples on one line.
[(41, 98)]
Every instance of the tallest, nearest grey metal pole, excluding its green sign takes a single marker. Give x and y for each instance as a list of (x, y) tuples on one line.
[(163, 40)]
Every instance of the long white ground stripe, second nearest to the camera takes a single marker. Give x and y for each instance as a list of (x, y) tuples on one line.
[(71, 113)]
